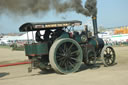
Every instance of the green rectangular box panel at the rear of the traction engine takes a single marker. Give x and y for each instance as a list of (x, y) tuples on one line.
[(36, 49)]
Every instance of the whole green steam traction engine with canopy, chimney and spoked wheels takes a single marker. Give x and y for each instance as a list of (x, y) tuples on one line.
[(64, 50)]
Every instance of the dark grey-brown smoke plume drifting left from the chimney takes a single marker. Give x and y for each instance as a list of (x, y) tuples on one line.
[(27, 7)]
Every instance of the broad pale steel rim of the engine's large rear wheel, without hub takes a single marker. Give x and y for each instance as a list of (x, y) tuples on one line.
[(54, 61)]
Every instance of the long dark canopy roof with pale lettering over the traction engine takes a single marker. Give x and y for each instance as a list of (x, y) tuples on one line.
[(48, 25)]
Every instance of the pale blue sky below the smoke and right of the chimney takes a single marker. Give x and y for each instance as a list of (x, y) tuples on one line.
[(111, 13)]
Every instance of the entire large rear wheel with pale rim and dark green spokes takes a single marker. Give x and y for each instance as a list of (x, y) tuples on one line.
[(65, 56)]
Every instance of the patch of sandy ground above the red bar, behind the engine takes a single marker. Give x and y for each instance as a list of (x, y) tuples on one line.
[(9, 56)]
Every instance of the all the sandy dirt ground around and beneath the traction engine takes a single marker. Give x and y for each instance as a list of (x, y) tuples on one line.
[(18, 75)]
